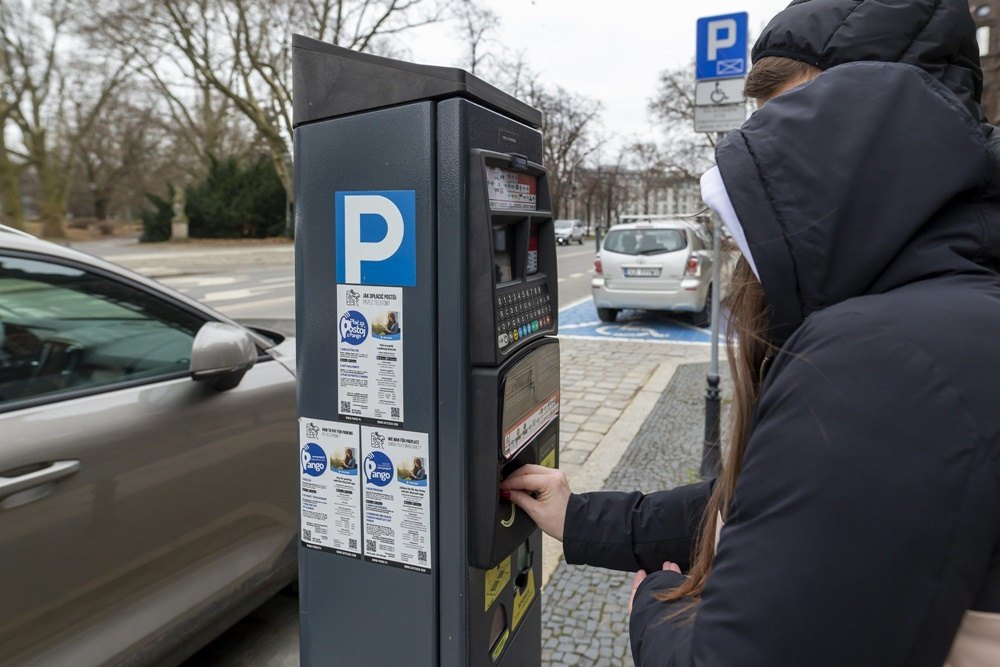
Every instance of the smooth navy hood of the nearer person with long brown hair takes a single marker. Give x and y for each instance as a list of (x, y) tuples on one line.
[(868, 178)]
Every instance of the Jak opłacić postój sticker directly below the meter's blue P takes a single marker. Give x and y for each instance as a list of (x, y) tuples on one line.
[(370, 353)]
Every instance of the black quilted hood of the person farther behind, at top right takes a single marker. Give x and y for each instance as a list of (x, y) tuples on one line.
[(939, 36)]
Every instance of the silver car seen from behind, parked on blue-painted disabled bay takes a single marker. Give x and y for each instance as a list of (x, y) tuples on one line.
[(654, 265)]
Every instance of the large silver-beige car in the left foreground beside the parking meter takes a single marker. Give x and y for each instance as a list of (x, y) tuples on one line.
[(148, 494)]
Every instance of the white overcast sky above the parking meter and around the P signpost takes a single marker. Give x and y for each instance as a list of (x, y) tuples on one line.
[(611, 50)]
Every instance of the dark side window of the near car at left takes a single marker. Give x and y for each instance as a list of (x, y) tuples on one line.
[(65, 329)]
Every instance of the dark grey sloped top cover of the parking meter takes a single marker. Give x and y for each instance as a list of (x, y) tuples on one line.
[(331, 81)]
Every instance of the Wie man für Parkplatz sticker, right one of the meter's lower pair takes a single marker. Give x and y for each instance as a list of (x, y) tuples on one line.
[(396, 501)]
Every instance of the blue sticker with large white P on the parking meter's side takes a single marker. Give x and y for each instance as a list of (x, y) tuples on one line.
[(376, 238)]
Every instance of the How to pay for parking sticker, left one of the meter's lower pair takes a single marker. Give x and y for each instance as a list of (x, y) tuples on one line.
[(330, 487)]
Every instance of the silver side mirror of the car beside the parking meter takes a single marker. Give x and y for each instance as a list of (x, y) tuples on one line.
[(222, 354)]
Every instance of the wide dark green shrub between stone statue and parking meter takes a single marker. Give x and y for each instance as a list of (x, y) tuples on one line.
[(236, 201)]
